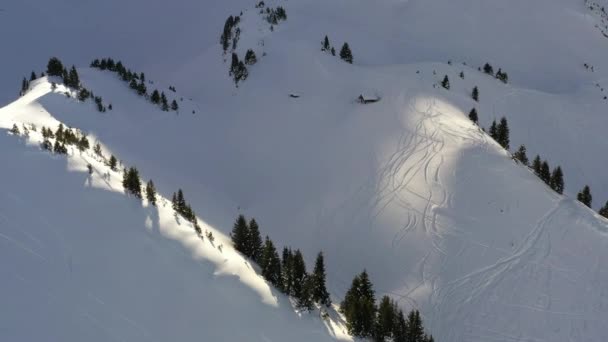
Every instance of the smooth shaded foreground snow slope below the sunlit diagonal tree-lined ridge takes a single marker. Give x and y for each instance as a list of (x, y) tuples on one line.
[(82, 261)]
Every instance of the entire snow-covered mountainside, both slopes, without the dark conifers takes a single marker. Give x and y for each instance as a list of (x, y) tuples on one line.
[(439, 214)]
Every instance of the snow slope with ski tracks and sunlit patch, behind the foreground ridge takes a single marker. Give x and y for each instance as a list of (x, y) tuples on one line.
[(442, 218)]
